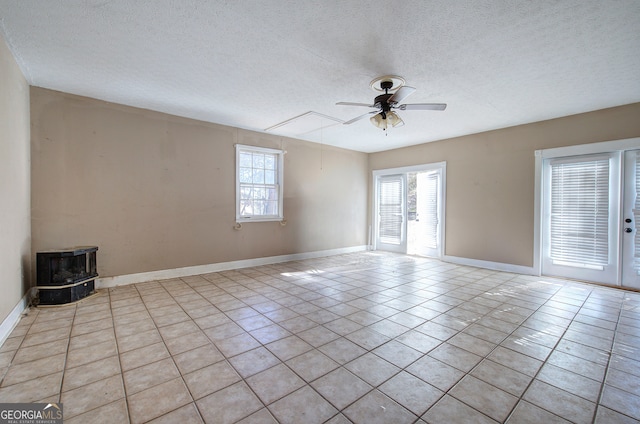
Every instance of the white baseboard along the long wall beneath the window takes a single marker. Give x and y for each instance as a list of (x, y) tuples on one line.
[(164, 274)]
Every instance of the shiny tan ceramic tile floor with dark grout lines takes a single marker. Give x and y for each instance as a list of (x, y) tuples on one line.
[(364, 338)]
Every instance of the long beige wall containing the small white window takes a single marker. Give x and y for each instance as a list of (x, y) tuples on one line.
[(155, 191)]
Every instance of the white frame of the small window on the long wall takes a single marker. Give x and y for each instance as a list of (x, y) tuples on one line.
[(279, 154)]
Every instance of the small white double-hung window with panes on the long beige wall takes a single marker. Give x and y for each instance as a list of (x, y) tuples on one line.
[(258, 184)]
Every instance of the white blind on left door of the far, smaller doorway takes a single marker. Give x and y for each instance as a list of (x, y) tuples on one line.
[(390, 209)]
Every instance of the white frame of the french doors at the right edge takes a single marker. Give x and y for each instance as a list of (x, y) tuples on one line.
[(577, 150)]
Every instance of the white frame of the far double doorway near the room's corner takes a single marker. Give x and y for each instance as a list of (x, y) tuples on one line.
[(442, 166)]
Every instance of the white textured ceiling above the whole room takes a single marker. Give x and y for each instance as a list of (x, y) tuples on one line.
[(256, 64)]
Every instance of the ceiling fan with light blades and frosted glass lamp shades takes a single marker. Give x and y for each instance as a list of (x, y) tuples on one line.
[(385, 104)]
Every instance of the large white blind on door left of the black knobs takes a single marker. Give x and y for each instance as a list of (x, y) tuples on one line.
[(579, 218)]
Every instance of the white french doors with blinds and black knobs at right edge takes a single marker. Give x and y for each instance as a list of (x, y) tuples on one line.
[(589, 227)]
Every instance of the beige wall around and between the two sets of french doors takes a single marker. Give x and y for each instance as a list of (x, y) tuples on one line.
[(490, 179)]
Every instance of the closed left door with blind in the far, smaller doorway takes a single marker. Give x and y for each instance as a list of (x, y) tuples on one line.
[(391, 222)]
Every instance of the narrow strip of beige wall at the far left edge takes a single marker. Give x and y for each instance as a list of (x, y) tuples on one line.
[(15, 242)]
